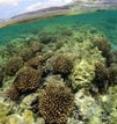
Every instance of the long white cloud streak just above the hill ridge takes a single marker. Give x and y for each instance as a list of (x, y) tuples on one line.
[(46, 4)]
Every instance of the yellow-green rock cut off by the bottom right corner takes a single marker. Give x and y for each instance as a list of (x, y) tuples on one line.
[(110, 105)]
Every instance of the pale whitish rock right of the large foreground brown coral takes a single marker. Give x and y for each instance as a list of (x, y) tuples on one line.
[(87, 105)]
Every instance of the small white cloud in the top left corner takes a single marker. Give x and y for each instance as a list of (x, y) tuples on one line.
[(9, 2)]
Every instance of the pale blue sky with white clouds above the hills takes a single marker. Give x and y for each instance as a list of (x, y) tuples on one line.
[(9, 8)]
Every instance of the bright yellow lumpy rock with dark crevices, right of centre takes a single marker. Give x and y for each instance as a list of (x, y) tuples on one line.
[(82, 75)]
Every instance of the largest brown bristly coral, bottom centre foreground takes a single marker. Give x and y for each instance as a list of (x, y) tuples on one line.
[(56, 103)]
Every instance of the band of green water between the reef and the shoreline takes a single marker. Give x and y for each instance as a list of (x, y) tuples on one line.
[(105, 21)]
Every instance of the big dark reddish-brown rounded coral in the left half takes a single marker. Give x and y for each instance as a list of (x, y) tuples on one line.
[(27, 79)]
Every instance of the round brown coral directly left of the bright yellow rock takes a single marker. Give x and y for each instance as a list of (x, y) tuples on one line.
[(62, 65)]
